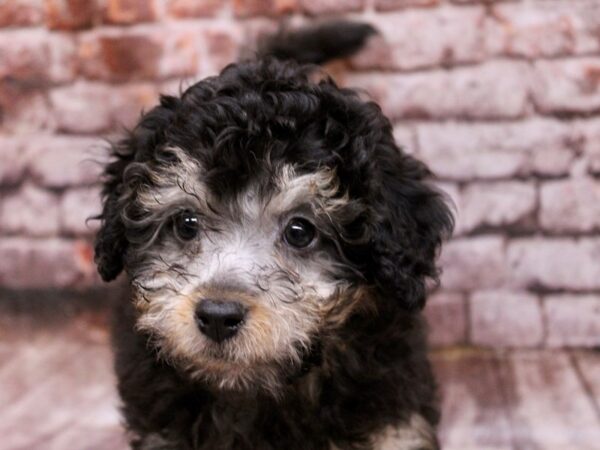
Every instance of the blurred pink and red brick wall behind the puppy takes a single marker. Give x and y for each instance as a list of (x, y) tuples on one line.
[(501, 98)]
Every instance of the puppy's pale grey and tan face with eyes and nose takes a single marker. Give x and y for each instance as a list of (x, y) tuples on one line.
[(235, 287)]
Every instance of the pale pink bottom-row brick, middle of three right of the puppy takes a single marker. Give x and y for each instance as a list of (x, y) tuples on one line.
[(505, 319)]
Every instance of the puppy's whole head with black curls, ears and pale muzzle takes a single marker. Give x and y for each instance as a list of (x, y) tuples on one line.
[(259, 211)]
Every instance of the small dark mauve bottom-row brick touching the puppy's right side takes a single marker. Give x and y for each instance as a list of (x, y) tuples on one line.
[(447, 319)]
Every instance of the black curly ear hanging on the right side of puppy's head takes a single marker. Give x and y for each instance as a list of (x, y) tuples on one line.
[(411, 221)]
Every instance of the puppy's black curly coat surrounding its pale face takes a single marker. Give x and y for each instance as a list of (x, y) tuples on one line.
[(371, 370)]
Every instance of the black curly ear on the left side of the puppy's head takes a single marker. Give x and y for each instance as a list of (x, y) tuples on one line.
[(119, 189)]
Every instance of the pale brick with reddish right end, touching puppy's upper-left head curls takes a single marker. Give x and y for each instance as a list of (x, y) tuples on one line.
[(114, 106)]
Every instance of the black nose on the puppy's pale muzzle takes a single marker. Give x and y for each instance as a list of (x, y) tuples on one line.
[(219, 320)]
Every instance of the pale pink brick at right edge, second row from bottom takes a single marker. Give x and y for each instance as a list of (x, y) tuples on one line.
[(548, 263)]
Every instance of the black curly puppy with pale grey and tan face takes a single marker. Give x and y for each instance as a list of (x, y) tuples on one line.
[(277, 245)]
